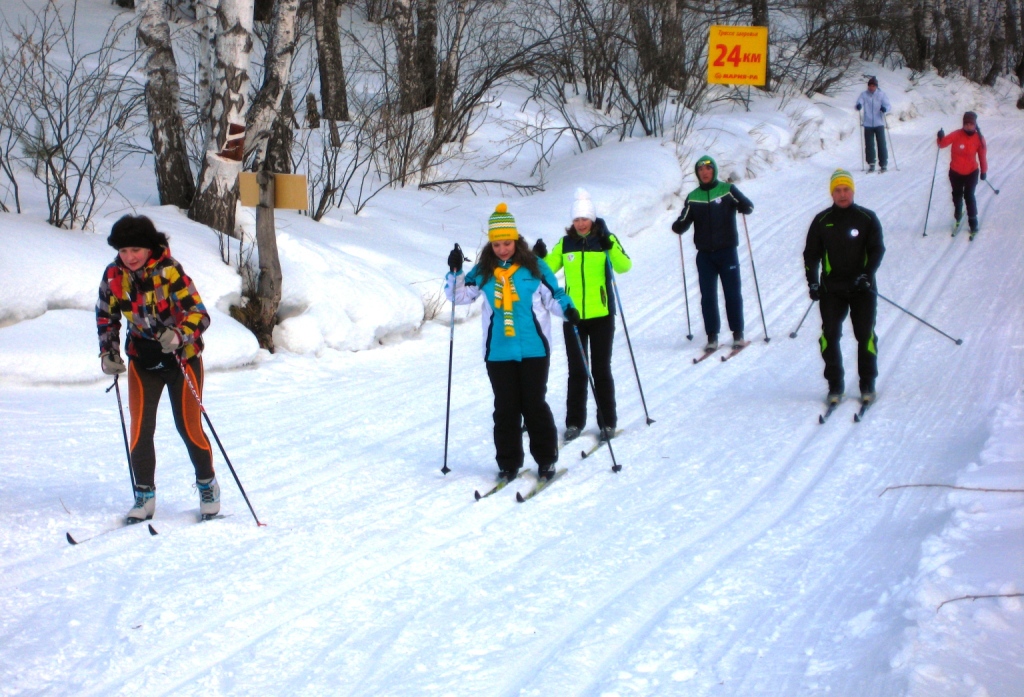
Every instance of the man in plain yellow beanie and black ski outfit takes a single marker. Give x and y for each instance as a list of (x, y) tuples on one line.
[(846, 242)]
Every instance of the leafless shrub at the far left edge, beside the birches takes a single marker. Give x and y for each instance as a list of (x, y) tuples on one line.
[(74, 114)]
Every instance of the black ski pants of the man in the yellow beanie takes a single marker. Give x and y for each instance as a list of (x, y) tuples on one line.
[(862, 308)]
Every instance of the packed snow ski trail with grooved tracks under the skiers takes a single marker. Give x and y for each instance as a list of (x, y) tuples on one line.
[(743, 547)]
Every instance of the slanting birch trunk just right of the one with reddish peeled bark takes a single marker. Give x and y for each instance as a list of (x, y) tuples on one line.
[(277, 73)]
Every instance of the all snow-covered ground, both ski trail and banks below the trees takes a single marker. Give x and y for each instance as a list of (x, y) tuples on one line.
[(743, 550)]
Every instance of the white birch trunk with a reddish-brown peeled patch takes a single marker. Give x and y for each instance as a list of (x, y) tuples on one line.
[(218, 194)]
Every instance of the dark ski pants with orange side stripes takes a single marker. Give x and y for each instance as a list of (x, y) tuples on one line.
[(145, 389)]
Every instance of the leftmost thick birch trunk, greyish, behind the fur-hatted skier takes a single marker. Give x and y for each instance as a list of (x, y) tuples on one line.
[(175, 179)]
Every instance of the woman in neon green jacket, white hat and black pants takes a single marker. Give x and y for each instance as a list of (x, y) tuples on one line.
[(589, 254)]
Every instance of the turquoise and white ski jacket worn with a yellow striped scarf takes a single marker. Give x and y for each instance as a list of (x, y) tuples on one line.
[(539, 299)]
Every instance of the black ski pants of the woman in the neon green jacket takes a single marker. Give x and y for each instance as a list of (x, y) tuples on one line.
[(596, 335)]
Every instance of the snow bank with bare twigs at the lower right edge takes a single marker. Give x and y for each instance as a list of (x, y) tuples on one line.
[(977, 554)]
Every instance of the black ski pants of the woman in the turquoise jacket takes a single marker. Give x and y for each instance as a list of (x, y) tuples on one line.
[(521, 389)]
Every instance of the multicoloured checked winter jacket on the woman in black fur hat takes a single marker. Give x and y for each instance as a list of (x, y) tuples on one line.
[(156, 296)]
